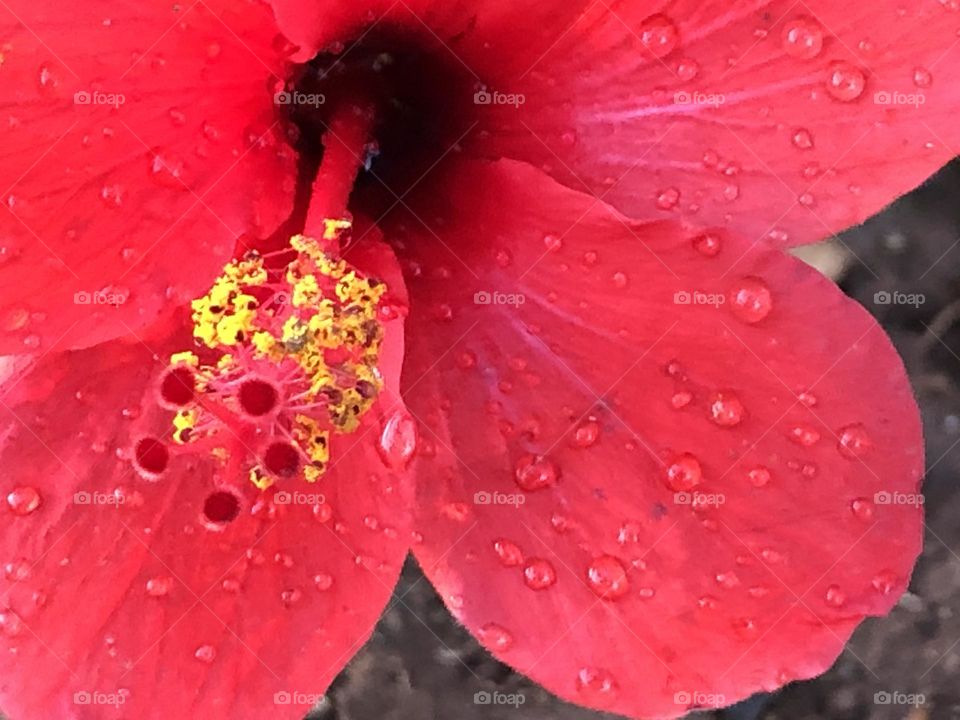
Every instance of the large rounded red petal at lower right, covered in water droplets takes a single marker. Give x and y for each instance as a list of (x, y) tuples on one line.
[(585, 416)]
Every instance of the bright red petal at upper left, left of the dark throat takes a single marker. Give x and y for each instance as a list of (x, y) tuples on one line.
[(140, 140)]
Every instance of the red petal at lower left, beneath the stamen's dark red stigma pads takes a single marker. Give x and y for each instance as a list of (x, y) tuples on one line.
[(139, 600)]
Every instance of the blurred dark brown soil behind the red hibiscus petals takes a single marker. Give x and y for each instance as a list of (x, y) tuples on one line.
[(420, 665)]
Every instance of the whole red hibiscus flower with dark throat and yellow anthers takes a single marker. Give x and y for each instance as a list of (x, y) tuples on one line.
[(289, 290)]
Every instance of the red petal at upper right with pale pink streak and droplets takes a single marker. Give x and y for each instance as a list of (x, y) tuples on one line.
[(724, 111)]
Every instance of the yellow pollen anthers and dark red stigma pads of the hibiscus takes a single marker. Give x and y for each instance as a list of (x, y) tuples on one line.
[(286, 354)]
